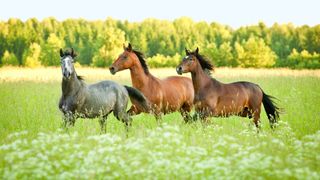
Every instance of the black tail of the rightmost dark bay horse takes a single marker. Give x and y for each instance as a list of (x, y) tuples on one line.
[(272, 110)]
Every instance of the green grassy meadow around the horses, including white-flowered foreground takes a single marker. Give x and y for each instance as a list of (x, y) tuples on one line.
[(33, 147)]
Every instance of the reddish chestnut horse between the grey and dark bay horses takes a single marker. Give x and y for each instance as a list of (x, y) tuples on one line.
[(166, 95)]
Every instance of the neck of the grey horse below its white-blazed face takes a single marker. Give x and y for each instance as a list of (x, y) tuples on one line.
[(72, 85)]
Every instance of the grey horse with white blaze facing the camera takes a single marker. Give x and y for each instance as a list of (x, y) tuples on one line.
[(96, 100)]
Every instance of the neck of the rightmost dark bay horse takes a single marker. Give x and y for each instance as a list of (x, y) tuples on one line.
[(199, 78)]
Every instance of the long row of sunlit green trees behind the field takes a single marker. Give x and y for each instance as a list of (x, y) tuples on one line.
[(36, 43)]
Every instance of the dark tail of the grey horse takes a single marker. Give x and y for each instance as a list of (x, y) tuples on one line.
[(137, 97)]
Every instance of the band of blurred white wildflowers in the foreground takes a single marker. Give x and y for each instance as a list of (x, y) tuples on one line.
[(166, 152)]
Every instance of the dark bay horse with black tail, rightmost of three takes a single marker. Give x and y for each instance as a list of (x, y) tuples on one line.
[(213, 98)]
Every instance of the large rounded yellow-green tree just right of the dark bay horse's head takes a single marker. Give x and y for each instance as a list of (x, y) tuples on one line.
[(254, 53)]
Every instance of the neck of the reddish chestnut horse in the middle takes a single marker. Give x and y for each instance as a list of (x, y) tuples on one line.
[(138, 77)]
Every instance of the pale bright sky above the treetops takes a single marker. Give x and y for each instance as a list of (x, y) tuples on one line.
[(235, 13)]
